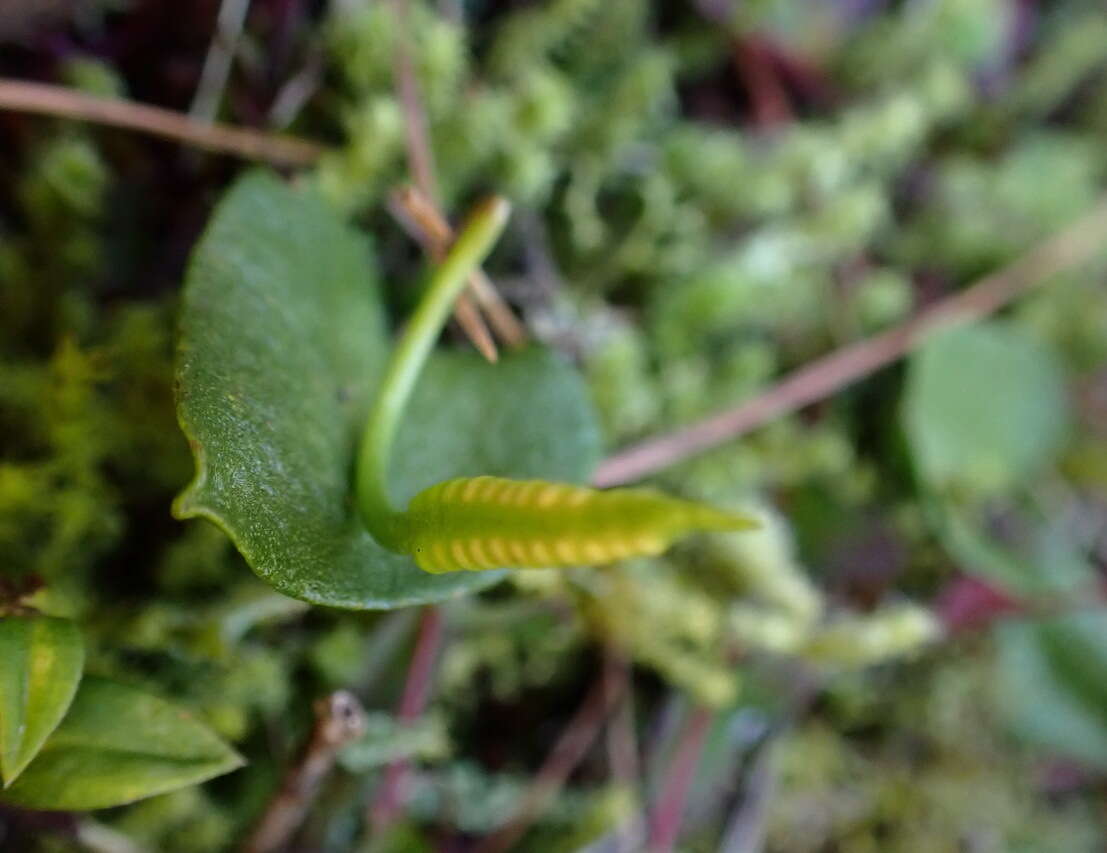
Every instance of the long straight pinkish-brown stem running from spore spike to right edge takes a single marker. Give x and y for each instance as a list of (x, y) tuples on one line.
[(824, 377)]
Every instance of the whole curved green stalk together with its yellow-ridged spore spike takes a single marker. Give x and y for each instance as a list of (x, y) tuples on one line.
[(490, 523)]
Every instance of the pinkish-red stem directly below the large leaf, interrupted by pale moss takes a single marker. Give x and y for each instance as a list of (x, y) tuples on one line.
[(386, 807)]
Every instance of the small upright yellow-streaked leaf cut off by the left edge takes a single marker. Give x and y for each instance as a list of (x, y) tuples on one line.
[(42, 661)]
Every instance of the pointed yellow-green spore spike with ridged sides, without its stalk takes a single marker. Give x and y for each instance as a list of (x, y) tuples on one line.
[(491, 523)]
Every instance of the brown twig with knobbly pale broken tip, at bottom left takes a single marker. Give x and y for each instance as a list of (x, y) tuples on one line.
[(339, 720)]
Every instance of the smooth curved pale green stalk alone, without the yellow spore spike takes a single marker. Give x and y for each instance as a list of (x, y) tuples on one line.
[(474, 243)]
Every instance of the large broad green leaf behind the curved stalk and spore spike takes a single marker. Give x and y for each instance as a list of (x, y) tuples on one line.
[(282, 341)]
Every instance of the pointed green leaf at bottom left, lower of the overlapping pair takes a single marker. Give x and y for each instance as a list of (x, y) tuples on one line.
[(116, 746)]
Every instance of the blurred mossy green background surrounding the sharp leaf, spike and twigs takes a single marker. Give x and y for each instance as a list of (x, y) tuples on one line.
[(708, 195)]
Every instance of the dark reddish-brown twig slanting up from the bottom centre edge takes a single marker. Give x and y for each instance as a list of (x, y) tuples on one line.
[(567, 754)]
